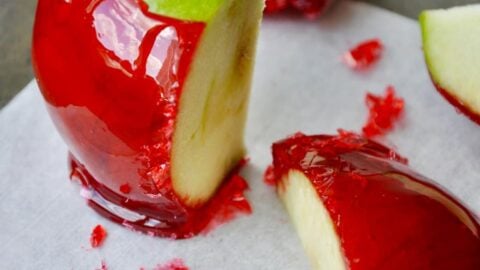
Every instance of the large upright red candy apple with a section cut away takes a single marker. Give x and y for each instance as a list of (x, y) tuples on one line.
[(151, 98)]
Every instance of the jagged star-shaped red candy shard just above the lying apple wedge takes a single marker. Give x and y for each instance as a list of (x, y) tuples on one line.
[(383, 112)]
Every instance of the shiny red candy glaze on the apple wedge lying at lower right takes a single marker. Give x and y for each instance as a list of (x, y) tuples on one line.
[(386, 216)]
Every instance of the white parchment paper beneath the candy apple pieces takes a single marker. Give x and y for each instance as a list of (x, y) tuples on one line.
[(300, 84)]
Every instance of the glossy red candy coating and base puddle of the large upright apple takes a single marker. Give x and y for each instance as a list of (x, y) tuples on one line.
[(99, 65)]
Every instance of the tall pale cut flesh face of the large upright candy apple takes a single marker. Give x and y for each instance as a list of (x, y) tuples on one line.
[(208, 137)]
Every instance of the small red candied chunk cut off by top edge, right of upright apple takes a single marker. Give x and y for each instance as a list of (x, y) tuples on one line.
[(311, 9)]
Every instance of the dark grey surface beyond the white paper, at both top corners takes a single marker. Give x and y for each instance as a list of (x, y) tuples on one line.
[(16, 20)]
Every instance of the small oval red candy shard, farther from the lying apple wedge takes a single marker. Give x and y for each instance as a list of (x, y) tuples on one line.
[(364, 54)]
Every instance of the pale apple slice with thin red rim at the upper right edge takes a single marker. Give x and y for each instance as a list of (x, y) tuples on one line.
[(451, 43)]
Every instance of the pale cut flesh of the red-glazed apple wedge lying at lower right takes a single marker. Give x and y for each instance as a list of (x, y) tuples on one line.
[(312, 222)]
